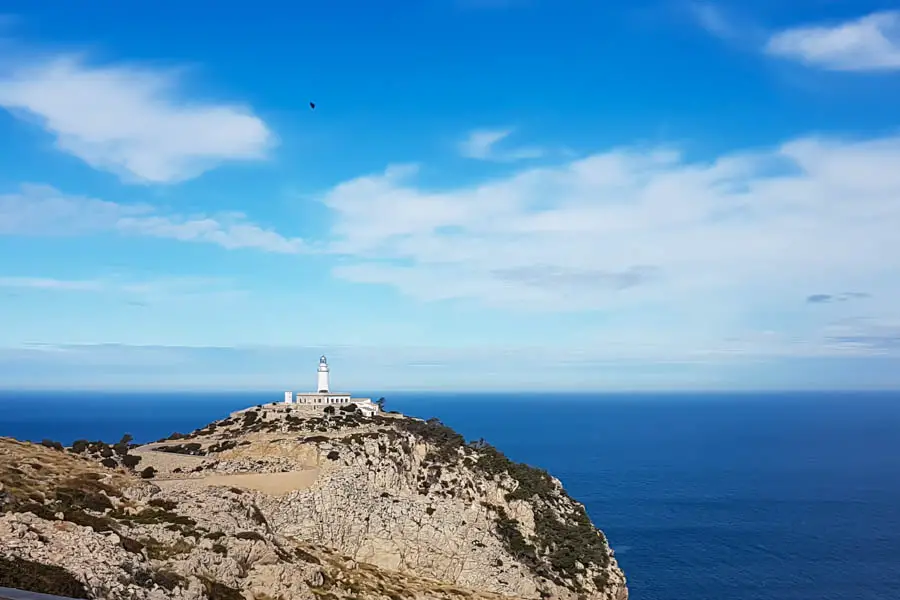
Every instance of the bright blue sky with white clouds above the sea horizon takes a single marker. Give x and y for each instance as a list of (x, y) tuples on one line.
[(489, 194)]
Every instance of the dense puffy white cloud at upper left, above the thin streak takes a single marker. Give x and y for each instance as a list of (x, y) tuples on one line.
[(133, 121)]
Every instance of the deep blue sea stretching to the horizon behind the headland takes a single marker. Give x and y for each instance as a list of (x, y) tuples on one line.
[(740, 496)]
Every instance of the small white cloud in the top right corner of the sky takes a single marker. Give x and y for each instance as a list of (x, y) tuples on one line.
[(870, 43)]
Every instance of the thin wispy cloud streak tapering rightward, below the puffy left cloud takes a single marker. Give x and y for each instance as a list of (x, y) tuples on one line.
[(43, 210)]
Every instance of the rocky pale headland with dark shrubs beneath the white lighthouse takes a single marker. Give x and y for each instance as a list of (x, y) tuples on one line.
[(292, 502)]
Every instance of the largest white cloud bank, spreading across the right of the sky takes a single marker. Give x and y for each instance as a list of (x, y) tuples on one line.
[(668, 248)]
